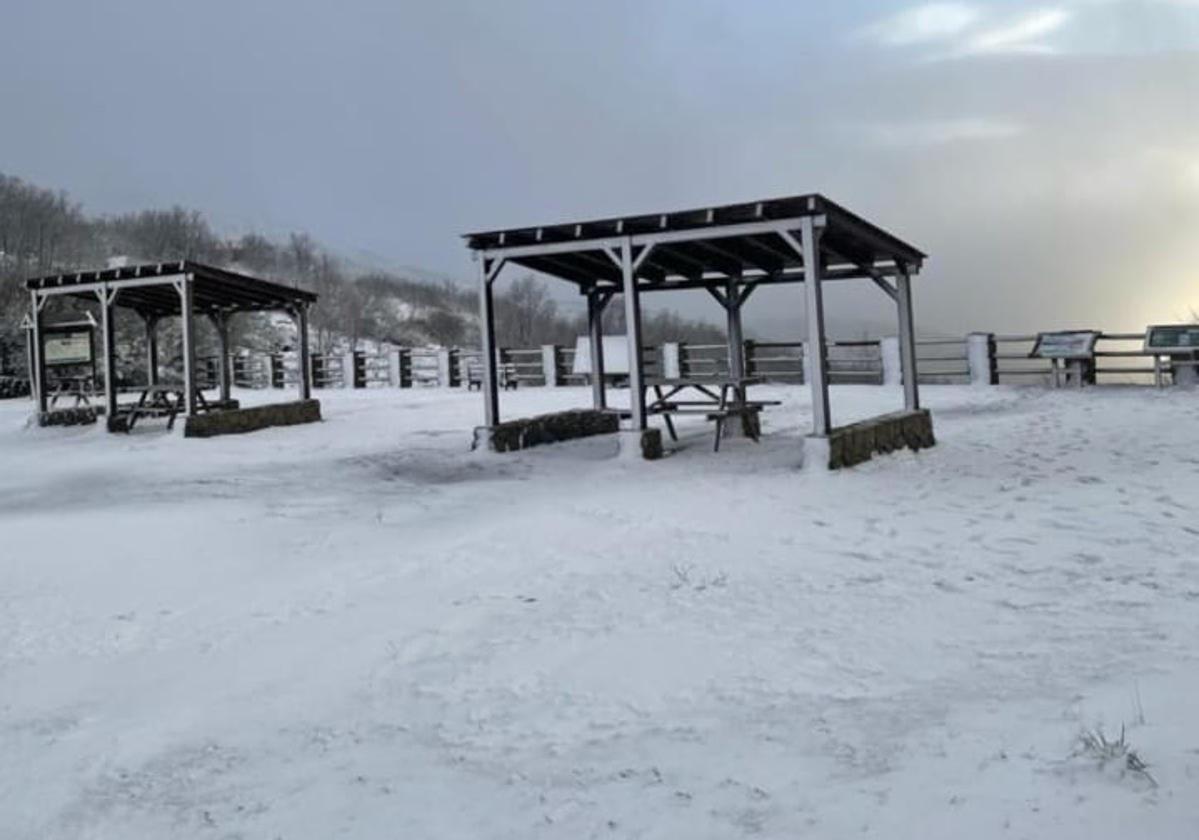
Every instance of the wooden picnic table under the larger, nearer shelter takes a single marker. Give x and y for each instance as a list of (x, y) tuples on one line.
[(715, 398)]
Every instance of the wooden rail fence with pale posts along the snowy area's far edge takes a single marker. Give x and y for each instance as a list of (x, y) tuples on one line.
[(980, 358)]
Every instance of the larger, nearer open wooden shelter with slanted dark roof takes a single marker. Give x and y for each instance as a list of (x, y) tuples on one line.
[(730, 251)]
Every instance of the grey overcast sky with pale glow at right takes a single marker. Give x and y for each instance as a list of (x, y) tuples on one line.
[(1045, 155)]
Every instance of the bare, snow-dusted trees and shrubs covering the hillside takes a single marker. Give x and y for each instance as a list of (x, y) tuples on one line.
[(44, 232)]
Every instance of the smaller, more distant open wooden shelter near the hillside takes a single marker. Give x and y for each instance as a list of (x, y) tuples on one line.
[(160, 291)]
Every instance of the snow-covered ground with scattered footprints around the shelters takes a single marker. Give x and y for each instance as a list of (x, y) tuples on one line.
[(359, 629)]
